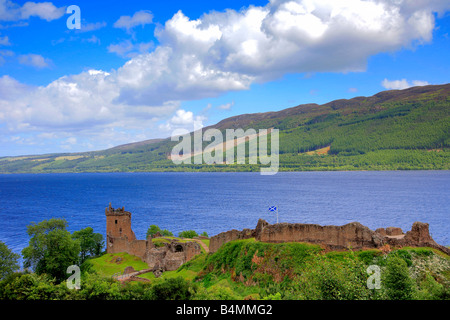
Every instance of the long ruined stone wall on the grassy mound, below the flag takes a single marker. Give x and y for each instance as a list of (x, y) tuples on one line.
[(352, 235)]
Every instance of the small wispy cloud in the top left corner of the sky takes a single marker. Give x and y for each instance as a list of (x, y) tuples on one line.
[(10, 11)]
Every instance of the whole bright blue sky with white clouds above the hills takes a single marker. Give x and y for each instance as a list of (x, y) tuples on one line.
[(138, 70)]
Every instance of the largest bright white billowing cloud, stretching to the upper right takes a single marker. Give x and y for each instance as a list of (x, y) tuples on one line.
[(225, 51)]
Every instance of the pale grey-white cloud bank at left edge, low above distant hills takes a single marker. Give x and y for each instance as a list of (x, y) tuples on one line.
[(77, 103)]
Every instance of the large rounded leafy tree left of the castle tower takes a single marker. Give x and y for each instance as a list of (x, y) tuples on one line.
[(51, 248)]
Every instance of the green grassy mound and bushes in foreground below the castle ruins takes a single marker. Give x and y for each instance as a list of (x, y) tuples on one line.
[(252, 270)]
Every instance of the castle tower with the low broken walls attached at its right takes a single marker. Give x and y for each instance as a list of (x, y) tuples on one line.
[(121, 238)]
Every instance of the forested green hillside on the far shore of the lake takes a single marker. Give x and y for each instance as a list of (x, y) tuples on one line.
[(392, 130)]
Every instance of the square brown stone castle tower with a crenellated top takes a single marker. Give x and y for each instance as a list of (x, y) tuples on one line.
[(118, 224)]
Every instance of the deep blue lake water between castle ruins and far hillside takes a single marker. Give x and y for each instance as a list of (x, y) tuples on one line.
[(216, 202)]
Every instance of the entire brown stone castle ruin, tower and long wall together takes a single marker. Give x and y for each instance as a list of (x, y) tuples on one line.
[(170, 256)]
